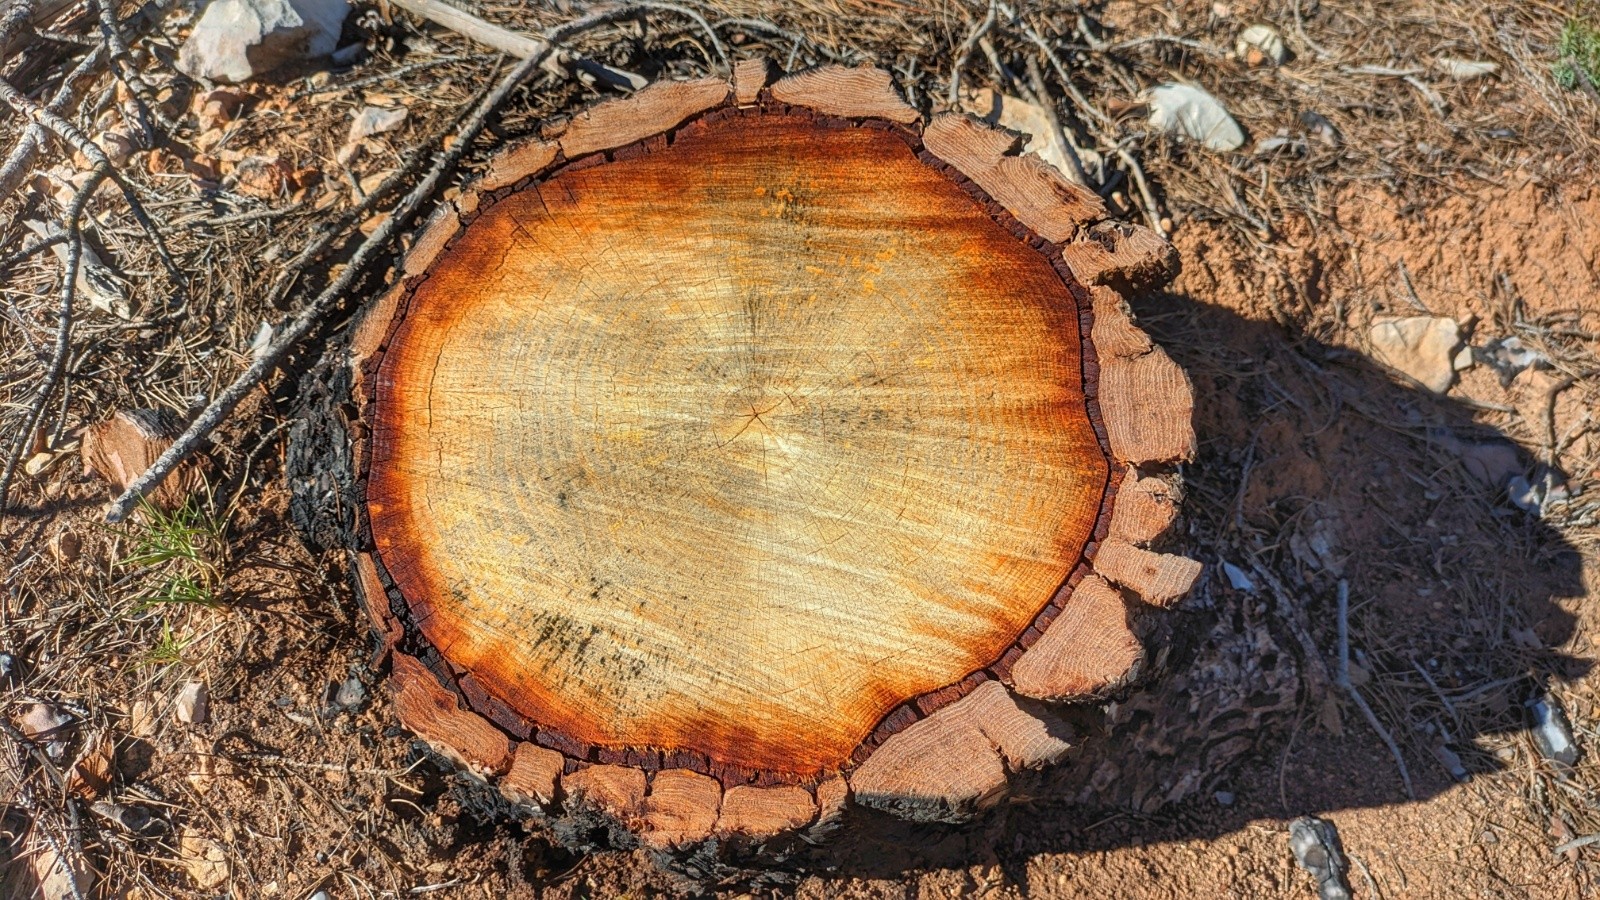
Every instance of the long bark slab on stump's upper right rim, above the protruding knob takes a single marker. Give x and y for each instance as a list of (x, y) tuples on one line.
[(1039, 196)]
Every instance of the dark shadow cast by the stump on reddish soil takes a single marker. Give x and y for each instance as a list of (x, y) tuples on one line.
[(1314, 467)]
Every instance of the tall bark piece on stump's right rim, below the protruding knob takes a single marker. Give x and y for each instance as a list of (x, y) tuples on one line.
[(1145, 396)]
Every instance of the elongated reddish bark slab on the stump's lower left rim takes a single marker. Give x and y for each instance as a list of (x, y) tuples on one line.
[(433, 715)]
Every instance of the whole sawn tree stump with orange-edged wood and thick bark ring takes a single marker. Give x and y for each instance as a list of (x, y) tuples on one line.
[(751, 449)]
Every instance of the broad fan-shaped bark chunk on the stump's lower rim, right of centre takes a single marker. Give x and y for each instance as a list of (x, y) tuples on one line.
[(940, 769)]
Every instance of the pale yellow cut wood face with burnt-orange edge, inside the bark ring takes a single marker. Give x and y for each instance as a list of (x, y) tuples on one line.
[(734, 446)]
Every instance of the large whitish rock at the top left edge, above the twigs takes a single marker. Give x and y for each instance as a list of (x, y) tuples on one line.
[(239, 39)]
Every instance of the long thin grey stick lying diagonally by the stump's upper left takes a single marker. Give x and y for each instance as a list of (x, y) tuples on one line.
[(322, 307)]
